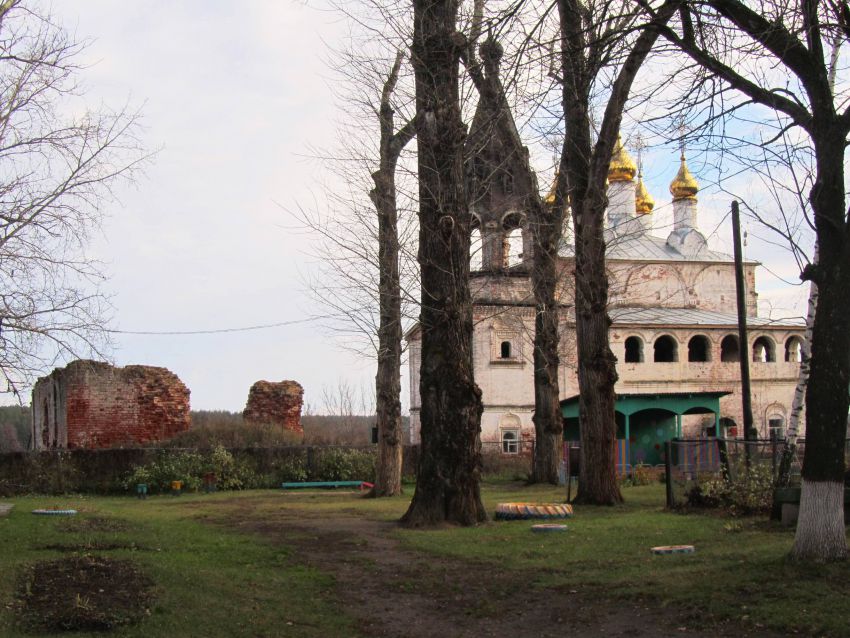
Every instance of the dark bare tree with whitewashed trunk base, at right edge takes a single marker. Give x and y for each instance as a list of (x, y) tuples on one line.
[(790, 42)]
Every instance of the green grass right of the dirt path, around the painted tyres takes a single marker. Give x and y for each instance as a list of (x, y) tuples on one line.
[(740, 570)]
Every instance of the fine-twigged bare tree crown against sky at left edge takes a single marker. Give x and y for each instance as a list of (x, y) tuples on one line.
[(56, 173)]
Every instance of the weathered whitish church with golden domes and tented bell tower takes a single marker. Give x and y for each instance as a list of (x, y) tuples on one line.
[(672, 303)]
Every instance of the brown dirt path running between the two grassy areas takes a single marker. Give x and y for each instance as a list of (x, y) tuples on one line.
[(396, 593)]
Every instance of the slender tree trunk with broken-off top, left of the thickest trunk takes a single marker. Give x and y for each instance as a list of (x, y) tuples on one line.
[(388, 376)]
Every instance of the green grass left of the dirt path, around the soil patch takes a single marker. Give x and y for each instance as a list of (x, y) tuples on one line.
[(210, 582)]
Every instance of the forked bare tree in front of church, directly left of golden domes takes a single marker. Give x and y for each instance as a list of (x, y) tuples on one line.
[(596, 41)]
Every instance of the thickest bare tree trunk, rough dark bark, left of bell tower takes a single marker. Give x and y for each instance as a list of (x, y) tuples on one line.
[(448, 476)]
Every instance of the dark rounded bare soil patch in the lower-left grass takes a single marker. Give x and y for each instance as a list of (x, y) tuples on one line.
[(82, 593)]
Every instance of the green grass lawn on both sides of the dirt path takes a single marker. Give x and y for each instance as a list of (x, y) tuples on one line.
[(215, 581)]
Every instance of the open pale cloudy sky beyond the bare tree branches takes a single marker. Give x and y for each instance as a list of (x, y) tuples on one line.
[(234, 97)]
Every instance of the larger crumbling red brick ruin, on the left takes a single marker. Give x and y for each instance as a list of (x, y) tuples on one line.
[(90, 404)]
